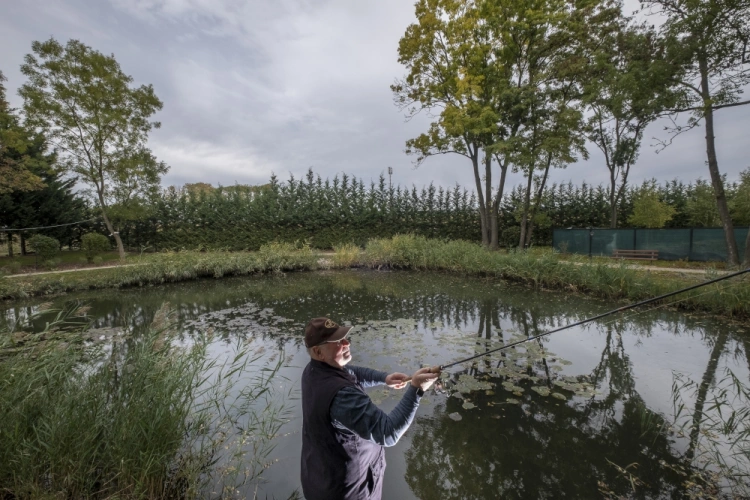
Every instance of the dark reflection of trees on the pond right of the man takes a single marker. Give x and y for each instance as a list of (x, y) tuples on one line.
[(544, 447)]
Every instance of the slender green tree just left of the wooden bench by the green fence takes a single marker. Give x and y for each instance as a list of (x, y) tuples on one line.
[(627, 90)]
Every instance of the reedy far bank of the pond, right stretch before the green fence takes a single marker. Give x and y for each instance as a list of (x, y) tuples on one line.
[(546, 270)]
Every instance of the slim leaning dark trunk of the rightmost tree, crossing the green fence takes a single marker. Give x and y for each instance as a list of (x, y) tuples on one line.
[(713, 168)]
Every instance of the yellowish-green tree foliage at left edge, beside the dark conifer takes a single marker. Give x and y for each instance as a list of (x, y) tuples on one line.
[(15, 160)]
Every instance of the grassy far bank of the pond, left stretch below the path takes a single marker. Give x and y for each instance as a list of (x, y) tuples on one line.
[(161, 268)]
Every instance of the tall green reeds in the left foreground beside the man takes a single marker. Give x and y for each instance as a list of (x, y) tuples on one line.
[(130, 418)]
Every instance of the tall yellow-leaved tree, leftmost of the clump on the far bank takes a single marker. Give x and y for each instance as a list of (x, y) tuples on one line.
[(448, 55)]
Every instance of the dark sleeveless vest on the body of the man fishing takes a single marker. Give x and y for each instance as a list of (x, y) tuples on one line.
[(335, 464)]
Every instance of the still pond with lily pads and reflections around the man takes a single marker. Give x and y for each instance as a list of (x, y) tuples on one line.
[(621, 407)]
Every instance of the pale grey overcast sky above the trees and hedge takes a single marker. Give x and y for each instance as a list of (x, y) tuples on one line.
[(255, 87)]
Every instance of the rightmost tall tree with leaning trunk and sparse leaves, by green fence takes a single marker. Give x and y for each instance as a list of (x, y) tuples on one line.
[(709, 41)]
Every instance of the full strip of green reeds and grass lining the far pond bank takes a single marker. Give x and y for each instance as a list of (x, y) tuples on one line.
[(597, 277)]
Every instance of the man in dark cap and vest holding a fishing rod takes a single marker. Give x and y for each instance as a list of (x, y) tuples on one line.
[(343, 432)]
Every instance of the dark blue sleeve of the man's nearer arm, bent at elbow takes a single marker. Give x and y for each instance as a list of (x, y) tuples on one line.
[(353, 410)]
